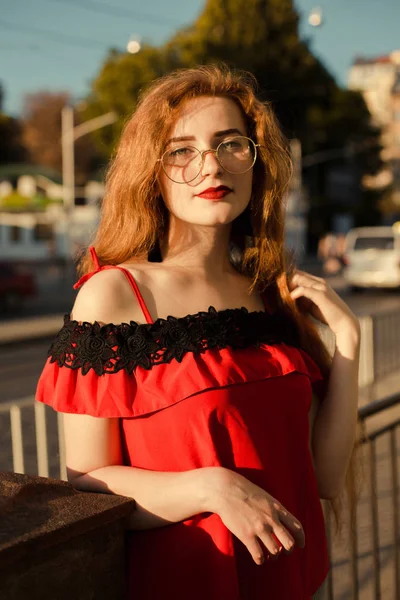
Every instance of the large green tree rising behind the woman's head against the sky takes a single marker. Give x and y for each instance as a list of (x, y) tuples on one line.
[(260, 36)]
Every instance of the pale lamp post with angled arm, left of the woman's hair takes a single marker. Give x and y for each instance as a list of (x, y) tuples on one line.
[(69, 134)]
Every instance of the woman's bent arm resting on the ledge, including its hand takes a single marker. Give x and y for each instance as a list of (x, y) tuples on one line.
[(94, 464)]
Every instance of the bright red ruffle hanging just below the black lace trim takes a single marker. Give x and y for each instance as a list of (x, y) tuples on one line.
[(143, 392)]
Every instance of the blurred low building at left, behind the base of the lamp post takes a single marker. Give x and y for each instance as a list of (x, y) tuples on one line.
[(34, 225)]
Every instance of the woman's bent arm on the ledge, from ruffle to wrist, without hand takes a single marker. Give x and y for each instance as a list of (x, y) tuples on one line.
[(95, 464)]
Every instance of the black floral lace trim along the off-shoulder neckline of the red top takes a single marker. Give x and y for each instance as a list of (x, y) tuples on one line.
[(110, 348)]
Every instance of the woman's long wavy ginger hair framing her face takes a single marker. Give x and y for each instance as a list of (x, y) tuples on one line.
[(134, 216)]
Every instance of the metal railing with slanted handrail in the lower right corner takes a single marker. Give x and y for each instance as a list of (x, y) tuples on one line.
[(373, 517)]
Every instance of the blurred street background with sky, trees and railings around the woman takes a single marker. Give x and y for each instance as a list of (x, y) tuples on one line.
[(71, 72)]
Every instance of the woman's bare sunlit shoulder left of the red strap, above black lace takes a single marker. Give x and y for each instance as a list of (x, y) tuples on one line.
[(106, 297)]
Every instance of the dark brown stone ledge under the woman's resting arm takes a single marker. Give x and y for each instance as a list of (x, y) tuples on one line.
[(59, 543)]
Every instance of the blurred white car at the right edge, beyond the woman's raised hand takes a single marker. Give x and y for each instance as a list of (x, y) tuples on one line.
[(372, 257)]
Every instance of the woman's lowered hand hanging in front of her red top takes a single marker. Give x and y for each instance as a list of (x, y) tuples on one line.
[(252, 515)]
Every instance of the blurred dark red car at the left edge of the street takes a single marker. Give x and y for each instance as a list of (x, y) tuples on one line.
[(15, 286)]
